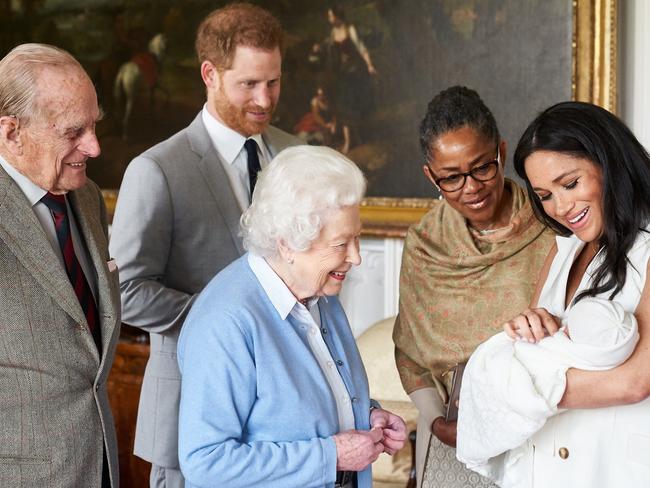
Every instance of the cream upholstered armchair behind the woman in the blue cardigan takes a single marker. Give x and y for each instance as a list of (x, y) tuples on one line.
[(377, 351)]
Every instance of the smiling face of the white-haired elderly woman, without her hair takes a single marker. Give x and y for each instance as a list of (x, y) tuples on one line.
[(321, 270)]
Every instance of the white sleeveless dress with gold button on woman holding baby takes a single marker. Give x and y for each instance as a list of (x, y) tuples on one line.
[(591, 448)]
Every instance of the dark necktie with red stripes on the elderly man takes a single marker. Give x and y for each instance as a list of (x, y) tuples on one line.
[(59, 211)]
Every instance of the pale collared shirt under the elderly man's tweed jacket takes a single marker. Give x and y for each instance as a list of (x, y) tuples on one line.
[(34, 193)]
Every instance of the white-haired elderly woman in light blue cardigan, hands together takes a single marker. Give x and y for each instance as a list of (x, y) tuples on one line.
[(274, 393)]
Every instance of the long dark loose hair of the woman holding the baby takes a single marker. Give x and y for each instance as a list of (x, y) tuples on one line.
[(591, 132)]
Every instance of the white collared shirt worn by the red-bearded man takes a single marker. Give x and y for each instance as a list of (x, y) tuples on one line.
[(230, 146)]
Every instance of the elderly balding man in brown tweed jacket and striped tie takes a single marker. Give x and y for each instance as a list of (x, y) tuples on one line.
[(59, 297)]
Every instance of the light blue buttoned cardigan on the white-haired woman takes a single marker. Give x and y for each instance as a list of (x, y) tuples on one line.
[(256, 409)]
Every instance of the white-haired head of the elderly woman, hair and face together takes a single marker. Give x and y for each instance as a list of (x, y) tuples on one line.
[(304, 219)]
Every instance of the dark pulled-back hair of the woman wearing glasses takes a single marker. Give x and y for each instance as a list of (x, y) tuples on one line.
[(452, 109)]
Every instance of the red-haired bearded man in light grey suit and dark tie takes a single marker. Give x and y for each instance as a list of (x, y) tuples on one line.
[(177, 219)]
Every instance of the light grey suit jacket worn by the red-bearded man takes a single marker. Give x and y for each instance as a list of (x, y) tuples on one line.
[(176, 226)]
